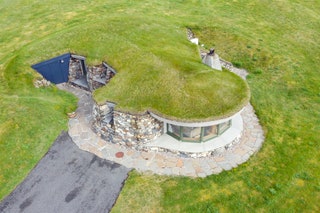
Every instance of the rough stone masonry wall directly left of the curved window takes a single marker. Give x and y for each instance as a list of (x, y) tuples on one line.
[(123, 128)]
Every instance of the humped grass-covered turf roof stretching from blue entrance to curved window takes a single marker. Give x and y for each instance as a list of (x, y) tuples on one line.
[(158, 68)]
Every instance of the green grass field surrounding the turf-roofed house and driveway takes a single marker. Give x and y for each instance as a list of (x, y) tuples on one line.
[(276, 42)]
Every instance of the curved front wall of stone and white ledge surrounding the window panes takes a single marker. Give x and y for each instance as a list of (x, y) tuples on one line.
[(149, 131)]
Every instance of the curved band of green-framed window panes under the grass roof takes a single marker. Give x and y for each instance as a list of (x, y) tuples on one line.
[(197, 134)]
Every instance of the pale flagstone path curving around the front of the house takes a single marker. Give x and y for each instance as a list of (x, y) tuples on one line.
[(160, 162)]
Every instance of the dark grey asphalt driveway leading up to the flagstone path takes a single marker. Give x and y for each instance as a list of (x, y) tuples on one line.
[(68, 179)]
